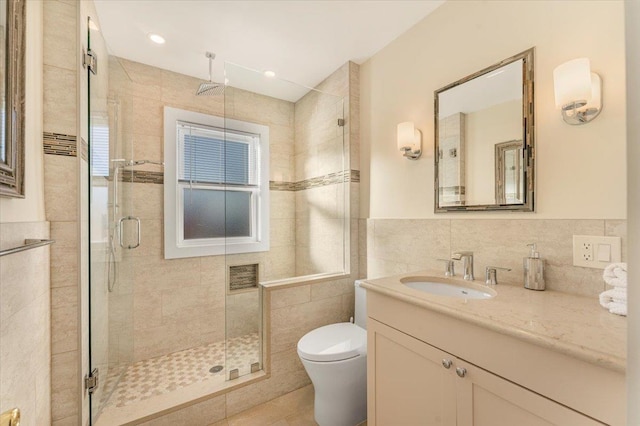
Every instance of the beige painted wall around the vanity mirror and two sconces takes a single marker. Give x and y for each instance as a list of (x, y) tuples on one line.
[(580, 170)]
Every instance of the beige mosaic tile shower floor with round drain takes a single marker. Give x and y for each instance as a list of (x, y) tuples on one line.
[(167, 373)]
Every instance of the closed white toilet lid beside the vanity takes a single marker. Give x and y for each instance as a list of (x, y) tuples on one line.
[(333, 342)]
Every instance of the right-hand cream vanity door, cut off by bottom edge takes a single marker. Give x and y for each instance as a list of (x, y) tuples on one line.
[(484, 399)]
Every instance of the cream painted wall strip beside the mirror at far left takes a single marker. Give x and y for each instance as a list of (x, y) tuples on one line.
[(30, 208)]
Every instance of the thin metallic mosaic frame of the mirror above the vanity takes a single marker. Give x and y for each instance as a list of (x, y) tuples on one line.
[(528, 138)]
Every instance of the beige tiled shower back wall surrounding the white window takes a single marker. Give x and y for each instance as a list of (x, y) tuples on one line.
[(180, 303)]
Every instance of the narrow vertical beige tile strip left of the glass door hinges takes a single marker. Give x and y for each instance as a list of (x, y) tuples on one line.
[(61, 201)]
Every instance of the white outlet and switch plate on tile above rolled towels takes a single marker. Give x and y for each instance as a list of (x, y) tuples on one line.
[(587, 249)]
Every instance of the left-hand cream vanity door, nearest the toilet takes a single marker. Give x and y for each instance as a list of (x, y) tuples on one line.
[(407, 382)]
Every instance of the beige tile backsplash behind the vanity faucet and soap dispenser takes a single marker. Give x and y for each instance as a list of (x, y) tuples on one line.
[(401, 245)]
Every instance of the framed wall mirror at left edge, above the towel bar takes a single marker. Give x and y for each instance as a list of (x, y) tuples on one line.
[(12, 69)]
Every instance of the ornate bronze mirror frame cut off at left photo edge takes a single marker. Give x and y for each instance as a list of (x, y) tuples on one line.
[(12, 171)]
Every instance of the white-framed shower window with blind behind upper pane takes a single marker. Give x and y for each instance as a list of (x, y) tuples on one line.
[(216, 185)]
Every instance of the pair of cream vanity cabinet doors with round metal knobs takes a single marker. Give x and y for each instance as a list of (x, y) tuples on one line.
[(415, 383)]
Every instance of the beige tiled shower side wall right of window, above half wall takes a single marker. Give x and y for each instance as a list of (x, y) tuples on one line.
[(319, 148)]
